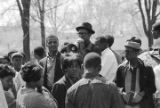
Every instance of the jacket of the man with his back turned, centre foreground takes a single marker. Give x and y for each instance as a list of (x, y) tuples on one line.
[(93, 93)]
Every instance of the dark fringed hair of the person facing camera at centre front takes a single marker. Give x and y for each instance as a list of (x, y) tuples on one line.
[(70, 60)]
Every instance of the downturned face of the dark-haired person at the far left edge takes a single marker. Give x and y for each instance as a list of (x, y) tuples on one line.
[(7, 82)]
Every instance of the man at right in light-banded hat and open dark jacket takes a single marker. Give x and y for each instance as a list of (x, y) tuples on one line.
[(134, 79)]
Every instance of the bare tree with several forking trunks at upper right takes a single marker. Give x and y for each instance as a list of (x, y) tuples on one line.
[(149, 14)]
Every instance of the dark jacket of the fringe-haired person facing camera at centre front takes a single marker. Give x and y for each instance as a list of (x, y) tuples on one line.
[(59, 91)]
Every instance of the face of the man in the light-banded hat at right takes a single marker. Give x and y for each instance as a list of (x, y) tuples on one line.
[(130, 53)]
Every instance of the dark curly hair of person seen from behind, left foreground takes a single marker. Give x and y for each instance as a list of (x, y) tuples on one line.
[(31, 72)]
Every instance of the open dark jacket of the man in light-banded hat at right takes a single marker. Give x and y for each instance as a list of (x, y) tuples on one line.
[(146, 80)]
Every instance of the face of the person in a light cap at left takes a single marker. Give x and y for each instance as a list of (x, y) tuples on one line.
[(17, 62)]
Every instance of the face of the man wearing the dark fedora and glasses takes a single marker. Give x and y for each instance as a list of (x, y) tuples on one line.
[(84, 34)]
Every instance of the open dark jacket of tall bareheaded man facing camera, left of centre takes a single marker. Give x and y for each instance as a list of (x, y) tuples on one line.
[(58, 69)]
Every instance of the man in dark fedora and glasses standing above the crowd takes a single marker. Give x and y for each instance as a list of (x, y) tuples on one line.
[(84, 44)]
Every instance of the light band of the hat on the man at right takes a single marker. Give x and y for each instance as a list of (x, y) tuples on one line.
[(133, 45)]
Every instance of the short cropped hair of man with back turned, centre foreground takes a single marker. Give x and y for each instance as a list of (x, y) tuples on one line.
[(92, 60)]
